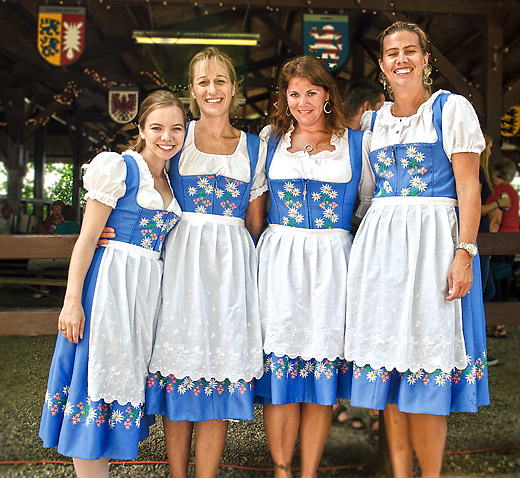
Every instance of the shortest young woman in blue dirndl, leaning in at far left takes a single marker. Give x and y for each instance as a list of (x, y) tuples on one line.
[(94, 406)]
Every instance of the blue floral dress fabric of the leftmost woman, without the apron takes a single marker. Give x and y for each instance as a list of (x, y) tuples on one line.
[(78, 427)]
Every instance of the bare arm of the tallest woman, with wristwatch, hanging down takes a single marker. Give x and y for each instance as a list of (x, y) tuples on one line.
[(465, 169)]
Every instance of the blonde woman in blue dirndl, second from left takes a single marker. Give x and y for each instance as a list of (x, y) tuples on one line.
[(208, 348)]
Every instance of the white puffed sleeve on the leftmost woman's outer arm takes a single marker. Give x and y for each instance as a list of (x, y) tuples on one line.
[(105, 178)]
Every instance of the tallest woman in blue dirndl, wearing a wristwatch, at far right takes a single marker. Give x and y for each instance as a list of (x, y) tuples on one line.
[(415, 320)]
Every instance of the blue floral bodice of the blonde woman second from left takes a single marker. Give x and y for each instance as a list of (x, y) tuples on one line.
[(211, 193)]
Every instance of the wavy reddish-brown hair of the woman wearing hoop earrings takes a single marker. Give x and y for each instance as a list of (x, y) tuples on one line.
[(314, 70)]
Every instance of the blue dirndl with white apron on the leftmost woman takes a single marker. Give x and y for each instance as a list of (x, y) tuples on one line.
[(87, 427)]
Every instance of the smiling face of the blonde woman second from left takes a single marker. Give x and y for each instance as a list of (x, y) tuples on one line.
[(212, 88)]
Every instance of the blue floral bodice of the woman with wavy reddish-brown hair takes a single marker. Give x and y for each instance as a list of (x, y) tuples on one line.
[(312, 204)]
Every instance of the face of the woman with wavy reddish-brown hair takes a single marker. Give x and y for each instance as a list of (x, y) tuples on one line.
[(306, 101)]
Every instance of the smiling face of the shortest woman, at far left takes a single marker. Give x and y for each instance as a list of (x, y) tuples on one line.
[(163, 133)]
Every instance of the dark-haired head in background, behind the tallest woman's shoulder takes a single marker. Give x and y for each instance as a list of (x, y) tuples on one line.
[(360, 96)]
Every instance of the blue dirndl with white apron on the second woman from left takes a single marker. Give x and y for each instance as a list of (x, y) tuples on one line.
[(209, 345)]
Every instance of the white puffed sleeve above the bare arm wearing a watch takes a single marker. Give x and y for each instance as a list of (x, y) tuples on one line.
[(460, 127)]
